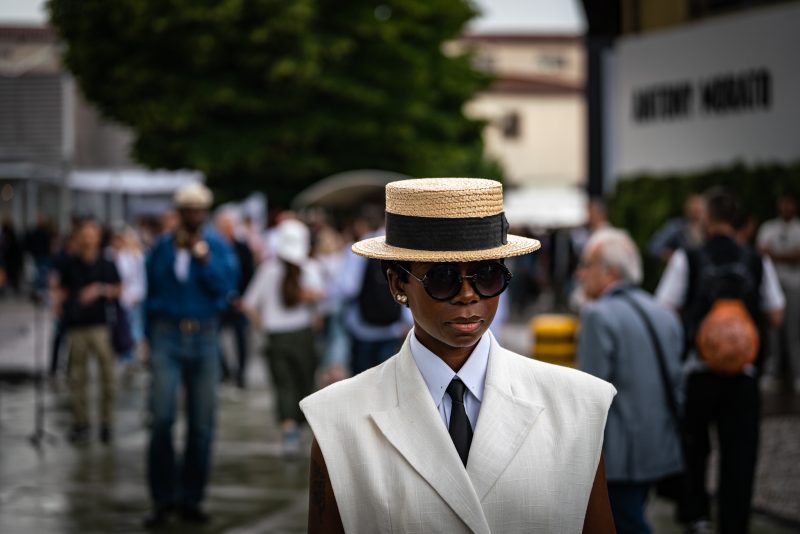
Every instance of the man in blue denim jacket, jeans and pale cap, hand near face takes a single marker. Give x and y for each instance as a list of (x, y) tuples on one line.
[(192, 276)]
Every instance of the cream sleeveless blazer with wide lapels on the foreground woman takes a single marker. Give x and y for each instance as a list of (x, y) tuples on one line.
[(531, 464)]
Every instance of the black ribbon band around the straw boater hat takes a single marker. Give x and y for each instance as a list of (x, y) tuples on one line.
[(444, 234)]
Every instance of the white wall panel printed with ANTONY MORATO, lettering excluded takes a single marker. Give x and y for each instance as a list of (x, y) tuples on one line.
[(765, 41)]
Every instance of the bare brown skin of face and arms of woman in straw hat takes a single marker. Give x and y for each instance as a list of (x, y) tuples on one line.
[(450, 329)]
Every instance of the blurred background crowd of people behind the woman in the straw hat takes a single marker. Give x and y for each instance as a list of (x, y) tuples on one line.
[(159, 295)]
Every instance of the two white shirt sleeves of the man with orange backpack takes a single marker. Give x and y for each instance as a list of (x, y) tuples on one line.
[(674, 284)]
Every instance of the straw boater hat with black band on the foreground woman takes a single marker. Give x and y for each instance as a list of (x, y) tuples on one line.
[(445, 219)]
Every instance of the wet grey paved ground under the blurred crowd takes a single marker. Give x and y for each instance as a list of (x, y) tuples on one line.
[(58, 488)]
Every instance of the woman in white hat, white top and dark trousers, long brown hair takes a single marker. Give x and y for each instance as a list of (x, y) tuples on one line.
[(282, 296)]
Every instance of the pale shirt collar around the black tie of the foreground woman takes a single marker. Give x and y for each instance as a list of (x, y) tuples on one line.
[(437, 374)]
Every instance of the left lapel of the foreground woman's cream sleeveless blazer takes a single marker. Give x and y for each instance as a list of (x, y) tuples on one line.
[(415, 429)]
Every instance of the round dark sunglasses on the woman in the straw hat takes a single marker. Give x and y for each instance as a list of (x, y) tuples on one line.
[(443, 281)]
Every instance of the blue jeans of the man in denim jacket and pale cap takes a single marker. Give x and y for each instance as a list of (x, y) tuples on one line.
[(189, 356)]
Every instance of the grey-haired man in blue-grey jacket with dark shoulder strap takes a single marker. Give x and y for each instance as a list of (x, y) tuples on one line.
[(642, 440)]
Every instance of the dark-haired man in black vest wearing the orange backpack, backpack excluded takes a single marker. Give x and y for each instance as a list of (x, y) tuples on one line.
[(731, 402)]
